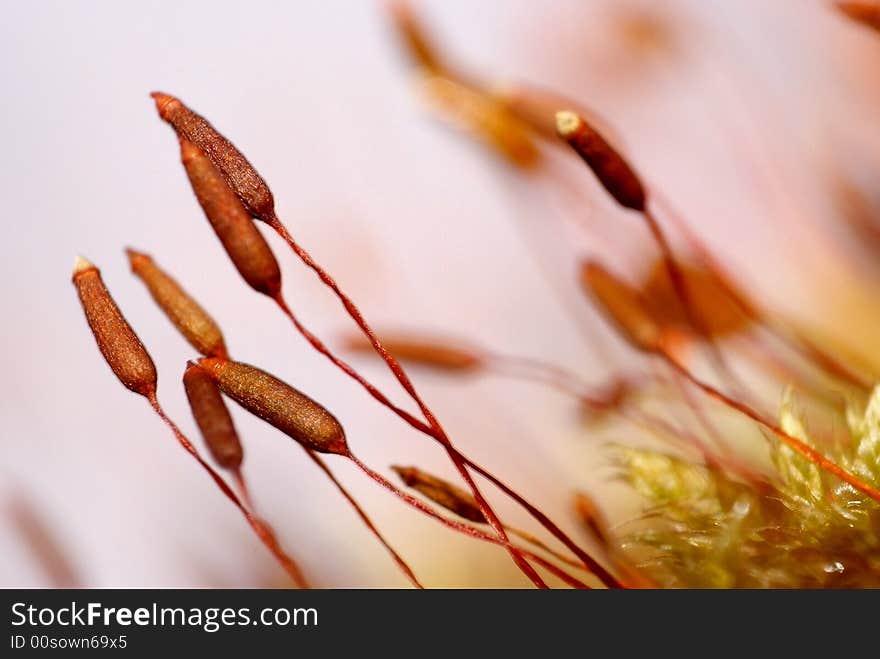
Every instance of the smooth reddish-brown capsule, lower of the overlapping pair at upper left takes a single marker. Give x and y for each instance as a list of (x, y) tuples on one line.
[(240, 237)]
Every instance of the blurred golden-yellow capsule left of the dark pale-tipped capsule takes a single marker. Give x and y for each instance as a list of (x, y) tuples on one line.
[(481, 115)]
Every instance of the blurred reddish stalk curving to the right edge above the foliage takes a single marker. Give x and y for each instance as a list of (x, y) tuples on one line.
[(791, 338)]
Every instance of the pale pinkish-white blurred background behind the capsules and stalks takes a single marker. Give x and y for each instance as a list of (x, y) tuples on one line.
[(757, 121)]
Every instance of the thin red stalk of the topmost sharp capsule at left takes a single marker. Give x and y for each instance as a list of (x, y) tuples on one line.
[(436, 429)]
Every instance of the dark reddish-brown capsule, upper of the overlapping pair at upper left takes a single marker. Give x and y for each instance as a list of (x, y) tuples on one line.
[(239, 174)]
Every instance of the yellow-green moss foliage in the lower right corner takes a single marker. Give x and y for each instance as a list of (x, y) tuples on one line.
[(802, 528)]
